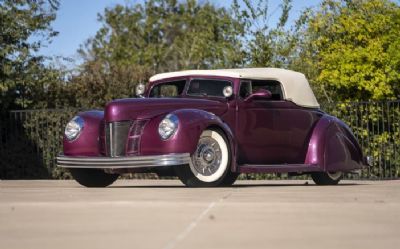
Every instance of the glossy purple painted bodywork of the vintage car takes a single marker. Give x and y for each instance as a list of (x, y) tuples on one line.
[(264, 135)]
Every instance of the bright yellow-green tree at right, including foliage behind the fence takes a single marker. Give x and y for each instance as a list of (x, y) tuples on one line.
[(350, 52)]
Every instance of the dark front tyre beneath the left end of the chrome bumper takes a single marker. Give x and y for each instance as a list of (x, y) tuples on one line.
[(93, 178)]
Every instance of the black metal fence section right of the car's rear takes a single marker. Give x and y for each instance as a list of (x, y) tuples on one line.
[(377, 128)]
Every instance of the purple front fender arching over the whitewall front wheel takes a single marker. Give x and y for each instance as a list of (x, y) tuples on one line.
[(192, 122)]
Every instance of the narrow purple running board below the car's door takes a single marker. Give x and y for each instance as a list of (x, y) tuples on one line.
[(278, 168)]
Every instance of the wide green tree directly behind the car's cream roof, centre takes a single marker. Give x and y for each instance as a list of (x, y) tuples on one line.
[(167, 35)]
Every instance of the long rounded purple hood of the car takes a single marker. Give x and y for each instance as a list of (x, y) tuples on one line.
[(130, 109)]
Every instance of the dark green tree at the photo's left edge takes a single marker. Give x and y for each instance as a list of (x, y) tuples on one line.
[(25, 27)]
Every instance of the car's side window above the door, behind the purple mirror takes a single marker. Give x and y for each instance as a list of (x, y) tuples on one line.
[(247, 88)]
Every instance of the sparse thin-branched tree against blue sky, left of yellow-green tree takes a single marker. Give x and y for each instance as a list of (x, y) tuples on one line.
[(266, 45)]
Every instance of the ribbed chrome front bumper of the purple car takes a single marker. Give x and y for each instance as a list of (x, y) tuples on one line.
[(122, 162)]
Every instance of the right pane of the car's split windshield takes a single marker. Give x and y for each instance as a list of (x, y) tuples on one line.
[(206, 87)]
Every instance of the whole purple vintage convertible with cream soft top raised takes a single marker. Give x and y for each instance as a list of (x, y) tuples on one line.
[(208, 126)]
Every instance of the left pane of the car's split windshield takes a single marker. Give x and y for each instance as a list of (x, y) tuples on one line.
[(168, 89)]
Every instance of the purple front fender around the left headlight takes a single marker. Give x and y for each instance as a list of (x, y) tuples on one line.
[(87, 144)]
